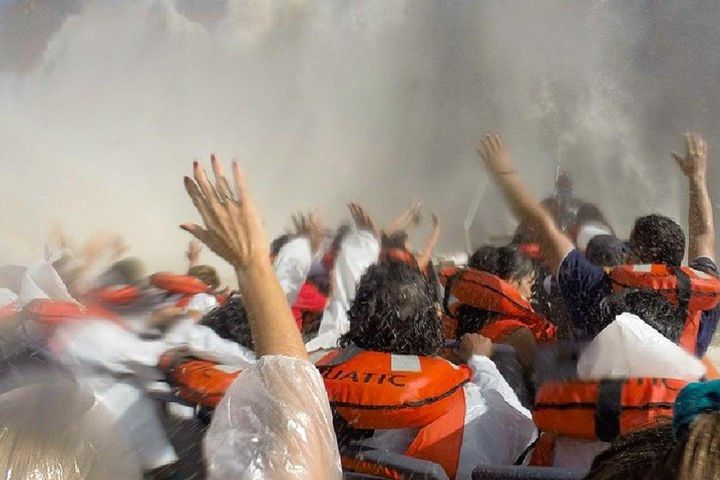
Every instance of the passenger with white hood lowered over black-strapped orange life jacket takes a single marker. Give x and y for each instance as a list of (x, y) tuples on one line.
[(629, 377)]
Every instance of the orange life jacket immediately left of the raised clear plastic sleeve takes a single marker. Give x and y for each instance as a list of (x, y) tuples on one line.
[(201, 382)]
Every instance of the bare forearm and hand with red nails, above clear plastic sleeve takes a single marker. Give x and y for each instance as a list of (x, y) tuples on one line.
[(234, 231)]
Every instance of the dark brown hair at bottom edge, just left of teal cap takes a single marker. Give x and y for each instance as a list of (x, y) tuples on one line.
[(632, 456)]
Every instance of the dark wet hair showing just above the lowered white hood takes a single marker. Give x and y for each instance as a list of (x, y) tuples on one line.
[(650, 306)]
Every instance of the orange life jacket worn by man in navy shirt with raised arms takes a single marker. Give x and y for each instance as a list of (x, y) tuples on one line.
[(692, 290)]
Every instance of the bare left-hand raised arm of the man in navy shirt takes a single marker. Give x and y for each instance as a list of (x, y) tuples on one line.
[(553, 243)]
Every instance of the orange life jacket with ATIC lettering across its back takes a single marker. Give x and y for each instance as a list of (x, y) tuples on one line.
[(376, 390)]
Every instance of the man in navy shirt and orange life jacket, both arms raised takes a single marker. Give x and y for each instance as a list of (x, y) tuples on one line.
[(657, 248)]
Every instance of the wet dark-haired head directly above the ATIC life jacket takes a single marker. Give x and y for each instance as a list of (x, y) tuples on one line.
[(394, 312)]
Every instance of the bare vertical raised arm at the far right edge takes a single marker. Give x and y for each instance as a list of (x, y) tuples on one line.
[(702, 227)]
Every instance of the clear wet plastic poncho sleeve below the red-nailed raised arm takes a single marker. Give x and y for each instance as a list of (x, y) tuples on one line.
[(274, 423)]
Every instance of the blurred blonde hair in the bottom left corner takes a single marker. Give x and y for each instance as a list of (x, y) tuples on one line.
[(55, 431)]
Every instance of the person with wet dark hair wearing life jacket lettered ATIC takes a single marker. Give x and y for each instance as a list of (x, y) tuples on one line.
[(434, 410)]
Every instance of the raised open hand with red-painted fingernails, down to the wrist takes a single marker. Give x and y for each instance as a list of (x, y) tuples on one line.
[(233, 228)]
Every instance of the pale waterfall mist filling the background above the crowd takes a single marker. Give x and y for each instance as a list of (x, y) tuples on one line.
[(104, 105)]
